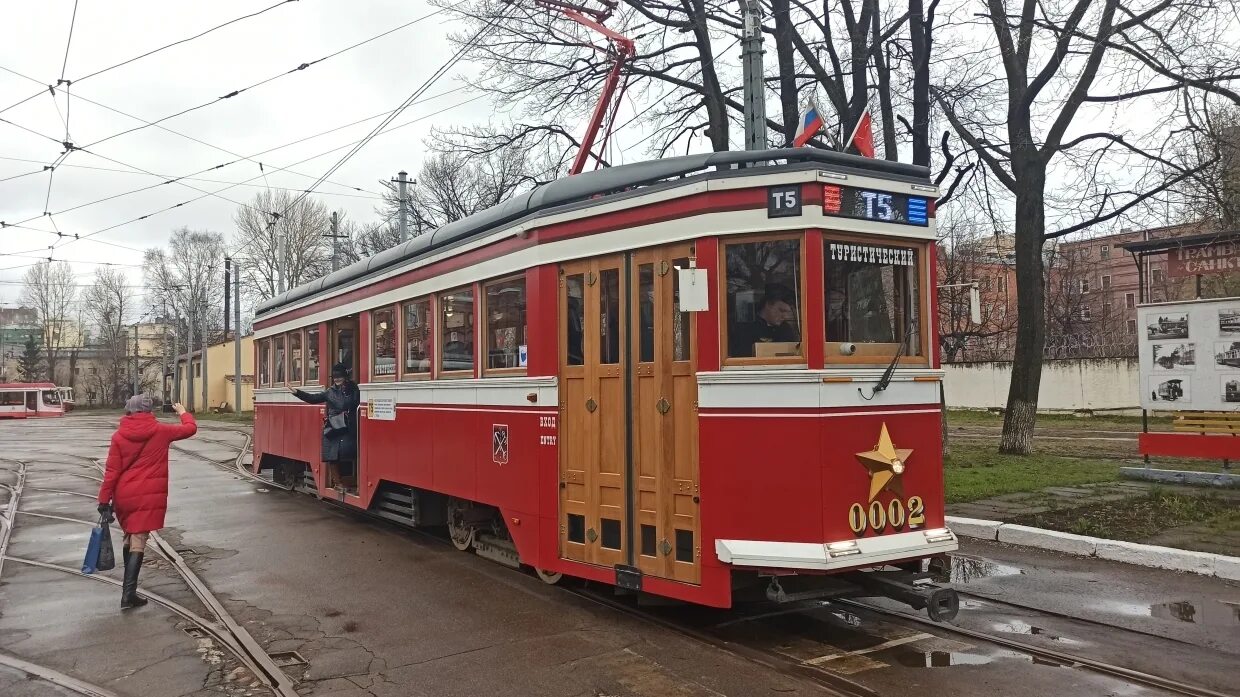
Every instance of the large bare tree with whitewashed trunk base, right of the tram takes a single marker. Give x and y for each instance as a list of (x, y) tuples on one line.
[(1063, 65)]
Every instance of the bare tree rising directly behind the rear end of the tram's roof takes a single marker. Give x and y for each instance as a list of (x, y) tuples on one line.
[(271, 220)]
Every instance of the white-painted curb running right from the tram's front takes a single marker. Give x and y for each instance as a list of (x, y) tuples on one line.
[(1205, 564)]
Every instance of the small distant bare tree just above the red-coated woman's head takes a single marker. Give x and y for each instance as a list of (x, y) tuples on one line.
[(108, 307)]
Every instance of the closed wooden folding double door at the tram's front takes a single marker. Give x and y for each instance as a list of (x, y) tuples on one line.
[(628, 437)]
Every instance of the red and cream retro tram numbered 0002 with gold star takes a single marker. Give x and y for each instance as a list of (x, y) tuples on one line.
[(683, 378)]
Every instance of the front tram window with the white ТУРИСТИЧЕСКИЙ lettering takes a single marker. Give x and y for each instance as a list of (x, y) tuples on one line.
[(874, 300)]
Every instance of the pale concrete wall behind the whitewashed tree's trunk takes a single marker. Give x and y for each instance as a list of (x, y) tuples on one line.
[(1067, 385)]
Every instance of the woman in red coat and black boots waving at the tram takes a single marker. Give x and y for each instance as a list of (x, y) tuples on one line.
[(136, 483)]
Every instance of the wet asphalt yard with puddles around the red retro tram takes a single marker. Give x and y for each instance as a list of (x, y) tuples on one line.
[(354, 607)]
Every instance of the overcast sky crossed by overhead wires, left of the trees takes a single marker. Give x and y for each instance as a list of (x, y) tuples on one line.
[(364, 82)]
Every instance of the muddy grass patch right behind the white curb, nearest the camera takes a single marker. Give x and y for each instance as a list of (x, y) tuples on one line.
[(1140, 519)]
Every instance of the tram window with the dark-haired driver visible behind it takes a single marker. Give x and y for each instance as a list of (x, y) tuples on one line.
[(764, 302)]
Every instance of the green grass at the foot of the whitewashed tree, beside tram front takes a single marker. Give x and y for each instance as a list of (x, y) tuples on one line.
[(979, 472)]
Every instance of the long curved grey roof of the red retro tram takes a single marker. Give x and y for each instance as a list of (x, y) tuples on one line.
[(597, 188)]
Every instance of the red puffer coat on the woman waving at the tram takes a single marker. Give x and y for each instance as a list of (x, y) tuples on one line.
[(136, 482)]
